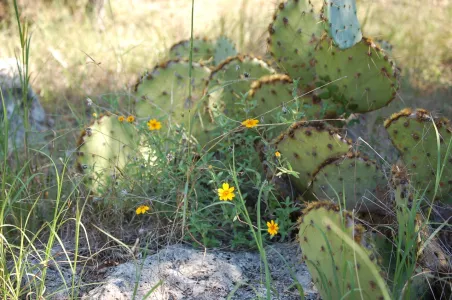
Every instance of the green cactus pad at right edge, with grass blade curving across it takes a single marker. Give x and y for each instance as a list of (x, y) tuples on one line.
[(413, 134)]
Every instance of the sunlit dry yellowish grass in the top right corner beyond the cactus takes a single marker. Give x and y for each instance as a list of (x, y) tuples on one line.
[(421, 36)]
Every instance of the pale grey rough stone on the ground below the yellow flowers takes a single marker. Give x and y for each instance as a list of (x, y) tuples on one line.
[(188, 273)]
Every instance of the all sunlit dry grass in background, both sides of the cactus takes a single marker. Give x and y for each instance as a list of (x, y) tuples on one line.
[(74, 55)]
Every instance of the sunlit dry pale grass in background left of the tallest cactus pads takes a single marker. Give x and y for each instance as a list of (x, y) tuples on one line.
[(74, 56)]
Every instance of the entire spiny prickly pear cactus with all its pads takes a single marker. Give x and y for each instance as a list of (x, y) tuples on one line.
[(320, 69)]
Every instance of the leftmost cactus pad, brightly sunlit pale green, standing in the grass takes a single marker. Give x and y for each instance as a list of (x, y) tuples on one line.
[(106, 148)]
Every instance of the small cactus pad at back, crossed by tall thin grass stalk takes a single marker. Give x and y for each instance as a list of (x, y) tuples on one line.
[(203, 50)]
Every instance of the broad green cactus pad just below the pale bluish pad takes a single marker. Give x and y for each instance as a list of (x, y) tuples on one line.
[(366, 79)]
